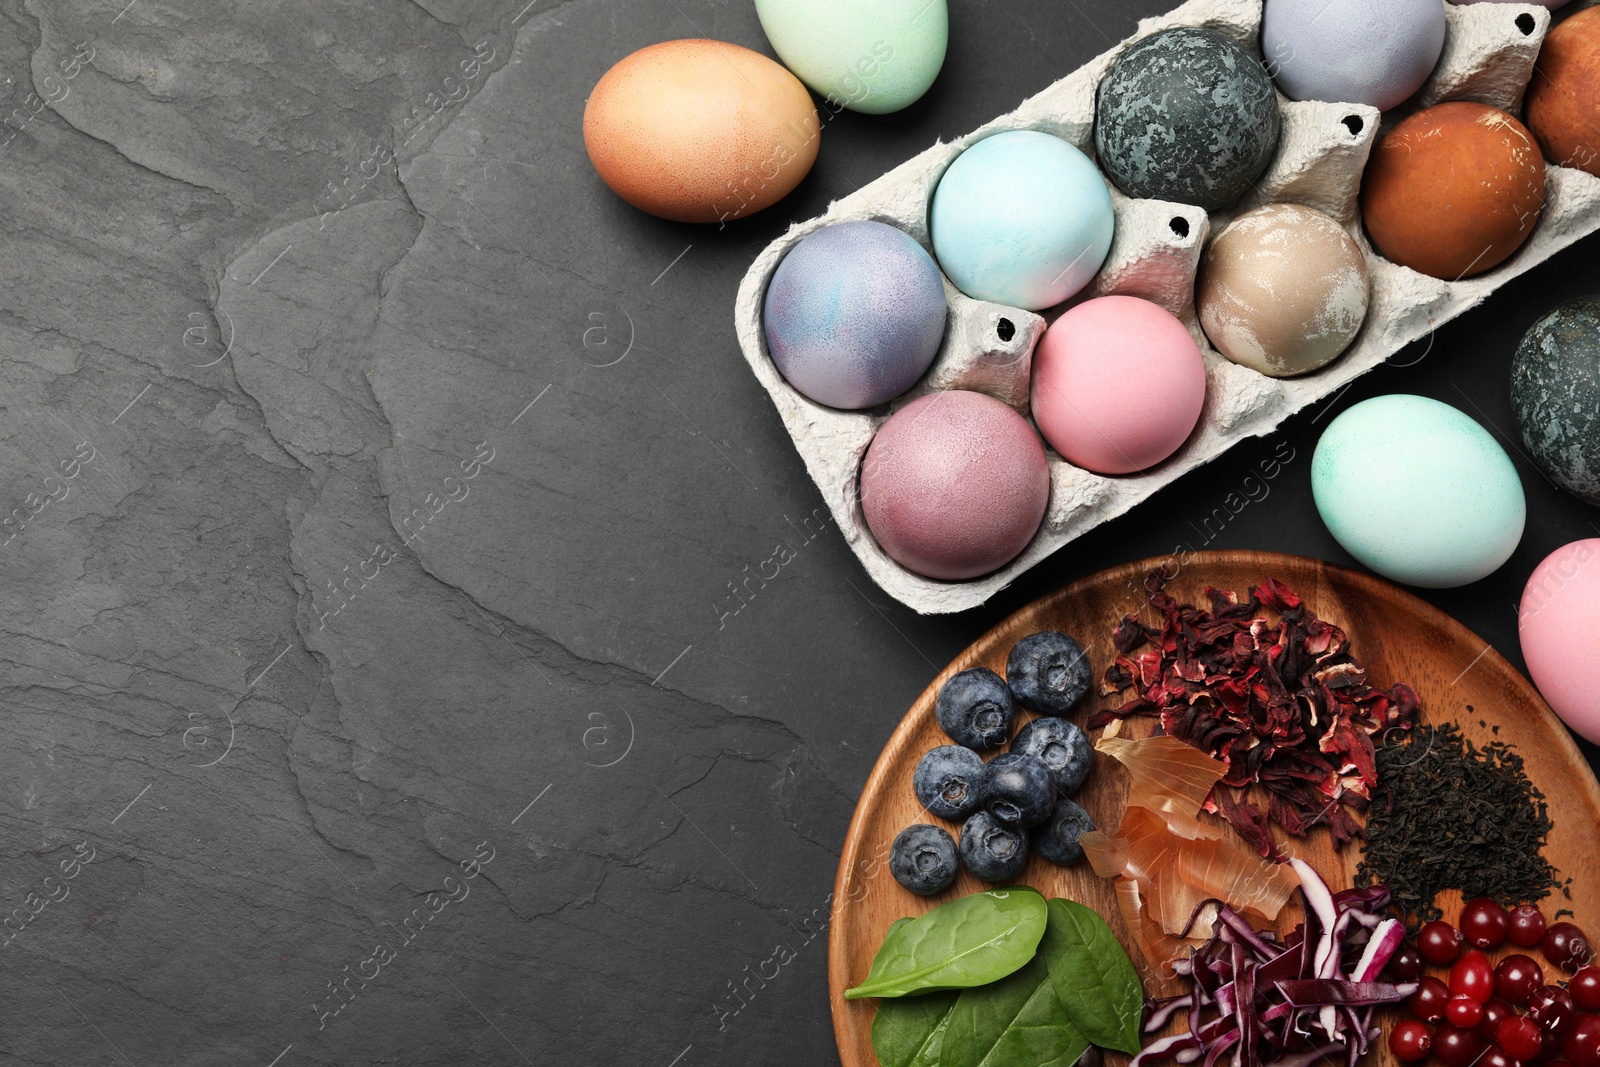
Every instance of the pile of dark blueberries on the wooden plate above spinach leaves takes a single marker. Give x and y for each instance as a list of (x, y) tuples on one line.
[(1017, 802)]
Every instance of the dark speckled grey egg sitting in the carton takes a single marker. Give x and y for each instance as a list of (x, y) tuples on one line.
[(1186, 116)]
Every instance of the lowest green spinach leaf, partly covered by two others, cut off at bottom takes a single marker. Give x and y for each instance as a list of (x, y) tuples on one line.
[(1017, 1021)]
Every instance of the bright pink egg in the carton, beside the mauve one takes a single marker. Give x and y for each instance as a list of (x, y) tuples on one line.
[(1118, 385)]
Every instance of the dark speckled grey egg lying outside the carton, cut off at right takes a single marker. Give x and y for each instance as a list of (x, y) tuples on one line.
[(1556, 394)]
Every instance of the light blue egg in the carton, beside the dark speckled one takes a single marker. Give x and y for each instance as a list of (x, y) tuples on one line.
[(1022, 218)]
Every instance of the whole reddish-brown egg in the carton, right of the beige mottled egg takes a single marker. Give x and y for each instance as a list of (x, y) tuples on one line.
[(1454, 191)]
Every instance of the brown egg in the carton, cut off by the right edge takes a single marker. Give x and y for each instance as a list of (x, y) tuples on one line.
[(1564, 98)]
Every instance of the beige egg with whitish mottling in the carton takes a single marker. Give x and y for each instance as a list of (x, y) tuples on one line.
[(1282, 290)]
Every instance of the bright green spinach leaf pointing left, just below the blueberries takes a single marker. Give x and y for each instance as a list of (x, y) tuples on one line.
[(964, 943)]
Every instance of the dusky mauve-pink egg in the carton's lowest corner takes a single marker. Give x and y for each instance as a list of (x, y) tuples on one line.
[(954, 486)]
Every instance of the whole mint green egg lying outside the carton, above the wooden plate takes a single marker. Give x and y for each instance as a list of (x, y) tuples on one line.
[(1418, 492)]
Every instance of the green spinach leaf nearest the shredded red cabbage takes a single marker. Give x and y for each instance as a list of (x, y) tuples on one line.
[(1095, 978)]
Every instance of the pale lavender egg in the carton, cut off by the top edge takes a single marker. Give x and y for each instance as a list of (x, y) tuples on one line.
[(1353, 52)]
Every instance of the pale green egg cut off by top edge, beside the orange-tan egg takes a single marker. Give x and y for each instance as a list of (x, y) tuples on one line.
[(868, 55)]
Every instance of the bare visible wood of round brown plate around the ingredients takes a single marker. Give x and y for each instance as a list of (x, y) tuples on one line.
[(1393, 634)]
